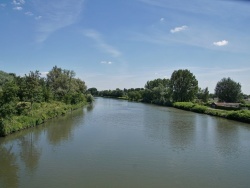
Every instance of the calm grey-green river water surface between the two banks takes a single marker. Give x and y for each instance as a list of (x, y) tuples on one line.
[(116, 144)]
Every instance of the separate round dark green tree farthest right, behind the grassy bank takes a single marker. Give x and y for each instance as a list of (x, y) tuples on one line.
[(228, 90)]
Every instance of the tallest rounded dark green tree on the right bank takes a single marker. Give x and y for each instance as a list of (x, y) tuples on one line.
[(183, 85)]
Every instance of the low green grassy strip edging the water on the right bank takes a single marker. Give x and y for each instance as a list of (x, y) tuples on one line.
[(237, 115)]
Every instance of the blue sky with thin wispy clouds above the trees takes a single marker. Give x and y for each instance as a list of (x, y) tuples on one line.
[(123, 44)]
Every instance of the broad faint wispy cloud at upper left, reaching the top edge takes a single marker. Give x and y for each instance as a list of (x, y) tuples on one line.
[(56, 15)]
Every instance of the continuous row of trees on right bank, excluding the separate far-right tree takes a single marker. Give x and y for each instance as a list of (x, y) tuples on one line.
[(181, 87)]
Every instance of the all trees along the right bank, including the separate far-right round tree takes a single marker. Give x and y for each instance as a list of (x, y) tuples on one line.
[(181, 87)]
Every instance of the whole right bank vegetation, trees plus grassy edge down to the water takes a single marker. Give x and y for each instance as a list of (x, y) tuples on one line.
[(182, 91)]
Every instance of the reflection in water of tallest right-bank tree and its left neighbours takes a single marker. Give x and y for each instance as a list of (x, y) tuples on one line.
[(170, 126)]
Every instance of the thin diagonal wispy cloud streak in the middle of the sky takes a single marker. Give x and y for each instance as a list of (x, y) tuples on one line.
[(101, 43)]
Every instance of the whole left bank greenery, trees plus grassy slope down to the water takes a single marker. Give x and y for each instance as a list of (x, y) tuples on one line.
[(31, 99)]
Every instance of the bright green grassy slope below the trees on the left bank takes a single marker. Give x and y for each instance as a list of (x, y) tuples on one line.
[(40, 113)]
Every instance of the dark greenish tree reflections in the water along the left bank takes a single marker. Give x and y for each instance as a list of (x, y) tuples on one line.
[(24, 148)]
